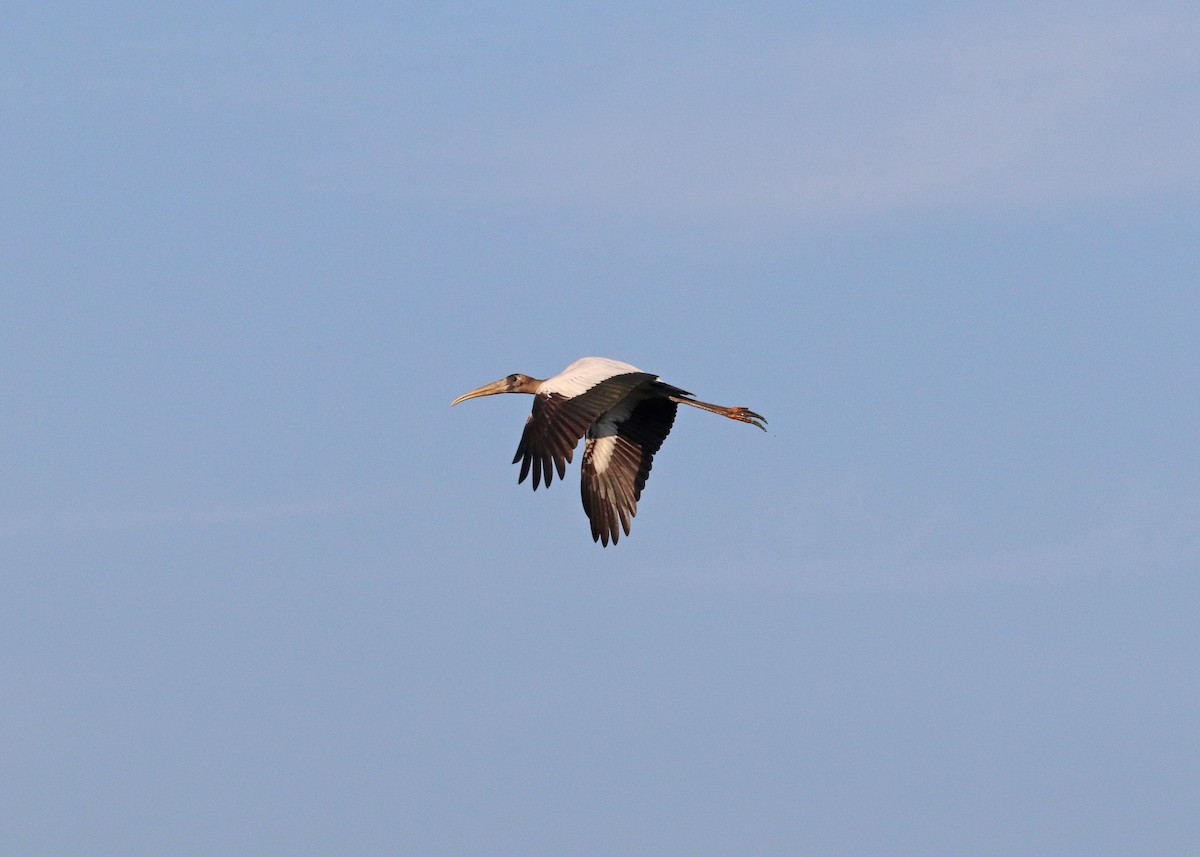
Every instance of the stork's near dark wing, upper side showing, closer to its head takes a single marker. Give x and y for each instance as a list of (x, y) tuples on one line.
[(557, 423)]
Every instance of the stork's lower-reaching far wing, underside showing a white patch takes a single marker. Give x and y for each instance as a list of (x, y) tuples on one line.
[(616, 468)]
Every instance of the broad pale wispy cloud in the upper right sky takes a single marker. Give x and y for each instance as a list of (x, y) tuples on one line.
[(957, 116)]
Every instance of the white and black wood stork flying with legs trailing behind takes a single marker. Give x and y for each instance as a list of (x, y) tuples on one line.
[(626, 415)]
